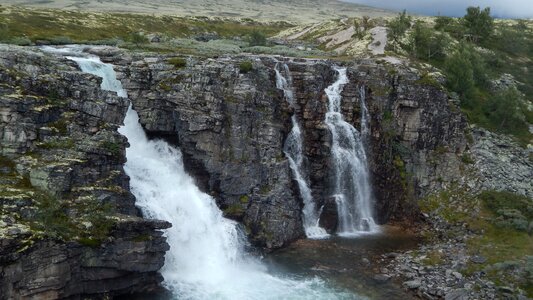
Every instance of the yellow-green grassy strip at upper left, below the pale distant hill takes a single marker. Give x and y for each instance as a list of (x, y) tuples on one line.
[(62, 26)]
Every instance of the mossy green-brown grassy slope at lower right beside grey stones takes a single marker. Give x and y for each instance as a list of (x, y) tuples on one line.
[(502, 234)]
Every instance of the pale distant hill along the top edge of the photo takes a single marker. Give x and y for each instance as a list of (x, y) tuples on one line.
[(300, 11)]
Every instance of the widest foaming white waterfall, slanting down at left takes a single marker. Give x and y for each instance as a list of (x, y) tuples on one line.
[(206, 259)]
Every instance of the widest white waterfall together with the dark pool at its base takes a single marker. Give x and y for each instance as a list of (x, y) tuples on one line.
[(207, 257)]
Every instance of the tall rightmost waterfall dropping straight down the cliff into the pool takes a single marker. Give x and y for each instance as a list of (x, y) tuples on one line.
[(352, 190)]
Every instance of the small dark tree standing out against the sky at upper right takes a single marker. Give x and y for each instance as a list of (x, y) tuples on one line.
[(479, 23)]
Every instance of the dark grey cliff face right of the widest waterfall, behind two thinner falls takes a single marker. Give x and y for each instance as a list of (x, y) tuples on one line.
[(231, 122)]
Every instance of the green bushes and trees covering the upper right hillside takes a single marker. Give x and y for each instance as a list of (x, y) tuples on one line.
[(483, 51)]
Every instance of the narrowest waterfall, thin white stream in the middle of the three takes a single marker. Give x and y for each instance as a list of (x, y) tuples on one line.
[(293, 149)]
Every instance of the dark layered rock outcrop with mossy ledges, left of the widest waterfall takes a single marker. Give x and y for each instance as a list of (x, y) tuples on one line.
[(68, 224)]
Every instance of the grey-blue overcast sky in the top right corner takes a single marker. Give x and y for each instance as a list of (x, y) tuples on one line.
[(456, 8)]
